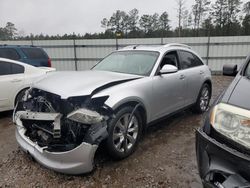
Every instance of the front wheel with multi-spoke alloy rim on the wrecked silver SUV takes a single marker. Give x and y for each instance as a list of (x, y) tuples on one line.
[(121, 142)]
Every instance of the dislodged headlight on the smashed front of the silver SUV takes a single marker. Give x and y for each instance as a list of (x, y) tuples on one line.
[(85, 116)]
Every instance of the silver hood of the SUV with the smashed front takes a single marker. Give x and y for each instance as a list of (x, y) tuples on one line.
[(80, 83)]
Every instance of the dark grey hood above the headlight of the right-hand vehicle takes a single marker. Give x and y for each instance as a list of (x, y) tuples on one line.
[(240, 94)]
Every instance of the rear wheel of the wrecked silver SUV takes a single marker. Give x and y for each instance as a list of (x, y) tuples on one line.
[(202, 102)]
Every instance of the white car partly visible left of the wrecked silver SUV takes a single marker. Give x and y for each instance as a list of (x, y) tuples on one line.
[(15, 78)]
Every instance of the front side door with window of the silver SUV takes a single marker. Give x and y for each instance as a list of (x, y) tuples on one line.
[(168, 89)]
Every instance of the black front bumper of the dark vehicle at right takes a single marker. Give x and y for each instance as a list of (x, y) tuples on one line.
[(219, 165)]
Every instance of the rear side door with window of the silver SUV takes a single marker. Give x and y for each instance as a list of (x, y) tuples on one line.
[(192, 71)]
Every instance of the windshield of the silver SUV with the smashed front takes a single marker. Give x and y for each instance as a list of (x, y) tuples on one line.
[(130, 62)]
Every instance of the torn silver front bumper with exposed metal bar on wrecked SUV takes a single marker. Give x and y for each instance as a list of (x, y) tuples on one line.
[(78, 160)]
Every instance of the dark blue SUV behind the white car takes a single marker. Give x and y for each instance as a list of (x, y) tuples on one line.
[(31, 55)]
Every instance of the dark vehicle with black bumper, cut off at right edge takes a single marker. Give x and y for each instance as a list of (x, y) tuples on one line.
[(223, 143)]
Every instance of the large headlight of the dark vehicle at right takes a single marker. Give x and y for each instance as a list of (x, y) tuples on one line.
[(233, 122)]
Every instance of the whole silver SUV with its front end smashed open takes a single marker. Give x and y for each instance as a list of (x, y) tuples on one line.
[(65, 117)]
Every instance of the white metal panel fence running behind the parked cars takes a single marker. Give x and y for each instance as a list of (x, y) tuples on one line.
[(83, 54)]
